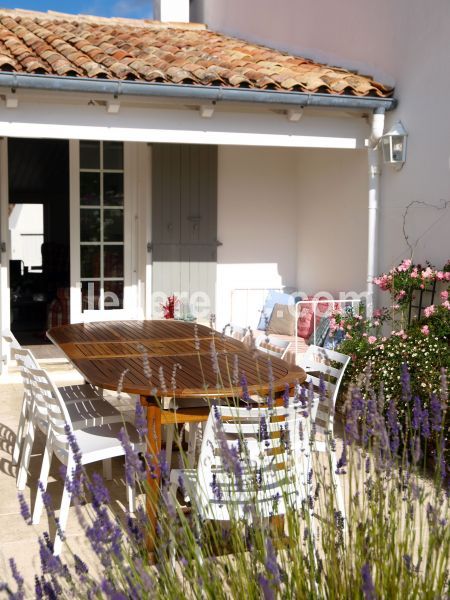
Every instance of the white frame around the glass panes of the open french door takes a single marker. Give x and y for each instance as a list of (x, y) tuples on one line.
[(132, 301)]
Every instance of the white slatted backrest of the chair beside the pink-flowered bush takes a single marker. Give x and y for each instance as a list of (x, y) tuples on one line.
[(328, 365)]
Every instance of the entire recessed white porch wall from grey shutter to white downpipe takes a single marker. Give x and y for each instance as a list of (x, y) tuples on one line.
[(282, 224)]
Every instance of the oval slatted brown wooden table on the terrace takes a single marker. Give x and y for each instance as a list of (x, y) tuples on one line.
[(174, 359)]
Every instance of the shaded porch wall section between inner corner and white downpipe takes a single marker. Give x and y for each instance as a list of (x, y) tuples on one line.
[(332, 221)]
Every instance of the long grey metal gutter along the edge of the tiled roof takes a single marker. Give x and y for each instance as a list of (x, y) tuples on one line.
[(54, 83)]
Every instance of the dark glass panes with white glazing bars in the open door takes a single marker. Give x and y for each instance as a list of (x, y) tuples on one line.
[(101, 206)]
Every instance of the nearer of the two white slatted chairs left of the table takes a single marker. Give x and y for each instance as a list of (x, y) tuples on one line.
[(97, 443)]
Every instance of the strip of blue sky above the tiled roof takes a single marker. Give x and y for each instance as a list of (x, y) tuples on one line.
[(107, 8)]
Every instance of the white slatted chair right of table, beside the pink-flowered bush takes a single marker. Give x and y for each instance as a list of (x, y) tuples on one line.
[(317, 361)]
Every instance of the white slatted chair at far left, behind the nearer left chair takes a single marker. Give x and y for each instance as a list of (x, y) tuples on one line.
[(84, 404)]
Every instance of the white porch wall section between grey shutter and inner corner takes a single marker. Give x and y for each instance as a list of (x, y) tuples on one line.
[(257, 221)]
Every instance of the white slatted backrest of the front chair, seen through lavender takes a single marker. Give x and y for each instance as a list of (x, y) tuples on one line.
[(251, 462)]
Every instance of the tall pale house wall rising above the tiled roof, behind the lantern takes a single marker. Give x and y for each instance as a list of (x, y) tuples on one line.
[(406, 43)]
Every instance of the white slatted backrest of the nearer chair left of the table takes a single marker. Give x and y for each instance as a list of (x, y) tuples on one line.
[(46, 395)]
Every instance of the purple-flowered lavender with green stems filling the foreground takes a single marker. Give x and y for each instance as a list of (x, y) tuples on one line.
[(391, 541)]
